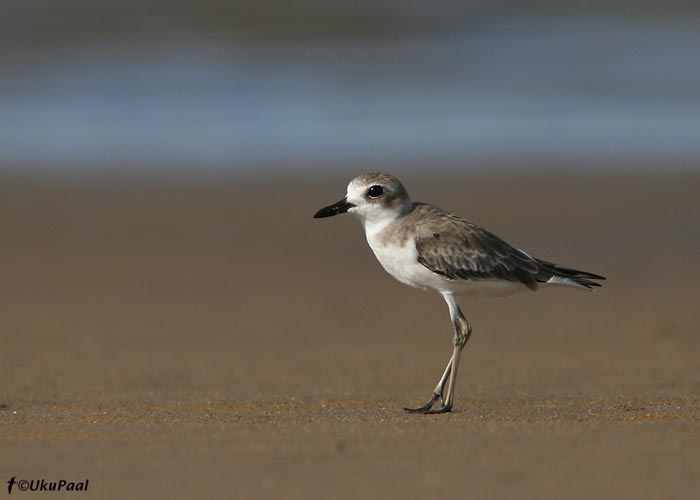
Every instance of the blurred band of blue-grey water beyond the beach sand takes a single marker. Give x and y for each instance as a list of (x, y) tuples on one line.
[(585, 89)]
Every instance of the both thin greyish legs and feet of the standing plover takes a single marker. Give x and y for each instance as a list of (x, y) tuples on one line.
[(462, 333)]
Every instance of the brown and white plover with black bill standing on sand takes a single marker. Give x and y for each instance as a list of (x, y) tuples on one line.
[(426, 247)]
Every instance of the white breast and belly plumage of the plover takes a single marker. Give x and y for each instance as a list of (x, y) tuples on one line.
[(402, 263)]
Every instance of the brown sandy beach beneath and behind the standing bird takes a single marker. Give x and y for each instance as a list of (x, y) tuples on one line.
[(217, 342)]
